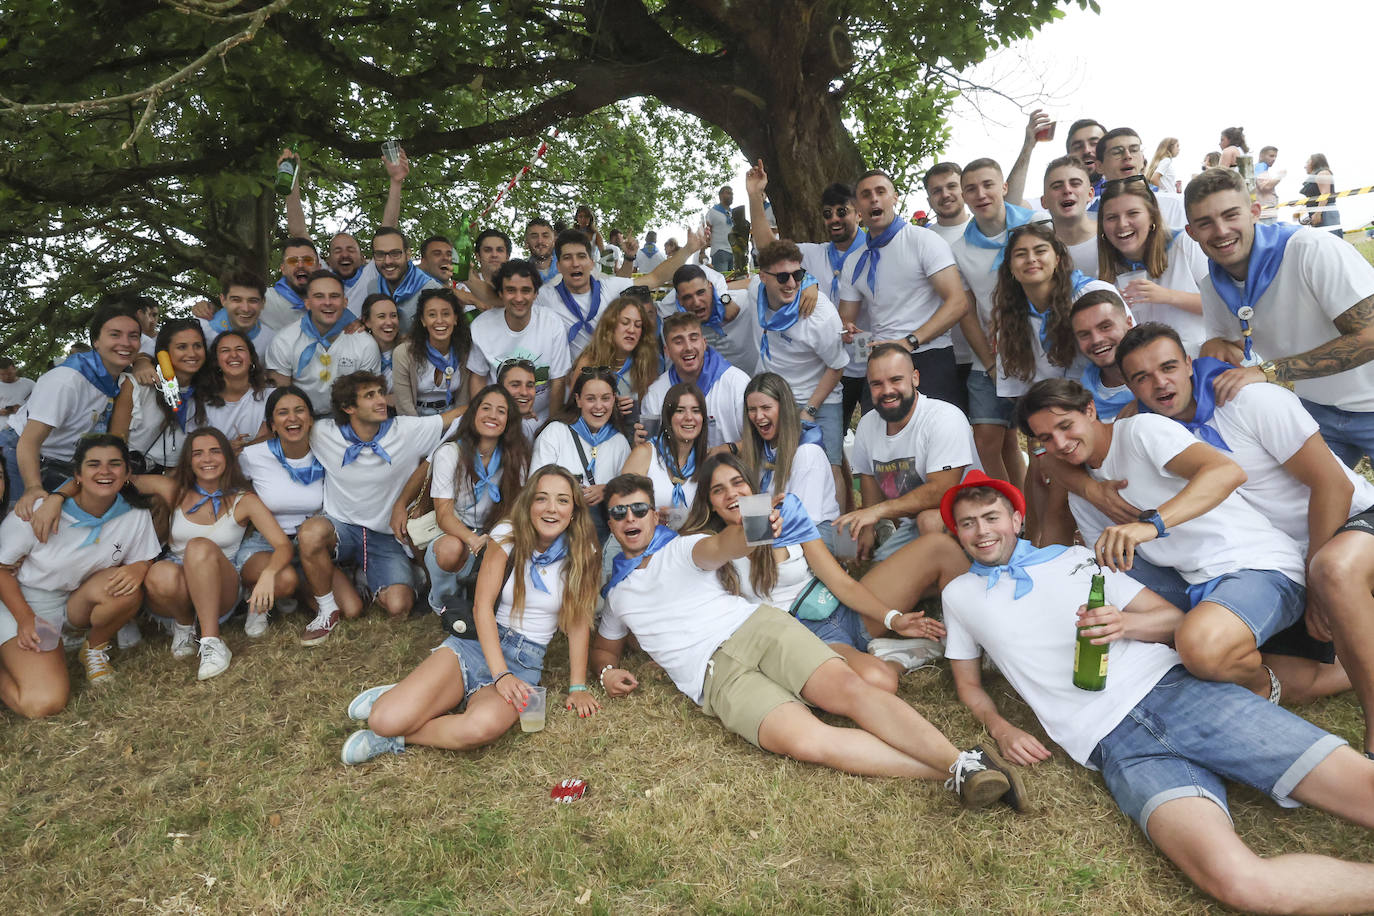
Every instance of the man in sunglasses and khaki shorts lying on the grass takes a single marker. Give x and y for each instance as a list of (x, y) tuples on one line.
[(758, 669)]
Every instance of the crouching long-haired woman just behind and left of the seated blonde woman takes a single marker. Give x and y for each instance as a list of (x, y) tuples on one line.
[(475, 480)]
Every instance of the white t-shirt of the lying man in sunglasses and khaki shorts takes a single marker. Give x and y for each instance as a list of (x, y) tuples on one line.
[(678, 612)]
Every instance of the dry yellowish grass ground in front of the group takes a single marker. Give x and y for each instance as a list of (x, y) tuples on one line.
[(164, 796)]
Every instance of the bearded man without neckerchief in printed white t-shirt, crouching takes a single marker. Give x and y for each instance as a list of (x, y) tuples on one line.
[(908, 453)]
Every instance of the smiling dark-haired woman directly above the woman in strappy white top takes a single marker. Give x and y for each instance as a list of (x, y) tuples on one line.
[(230, 391)]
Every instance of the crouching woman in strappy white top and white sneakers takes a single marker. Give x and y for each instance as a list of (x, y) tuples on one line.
[(212, 505)]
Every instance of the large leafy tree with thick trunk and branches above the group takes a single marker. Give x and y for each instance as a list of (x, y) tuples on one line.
[(144, 134)]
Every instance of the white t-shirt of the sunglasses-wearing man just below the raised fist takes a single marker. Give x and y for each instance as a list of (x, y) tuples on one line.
[(802, 354)]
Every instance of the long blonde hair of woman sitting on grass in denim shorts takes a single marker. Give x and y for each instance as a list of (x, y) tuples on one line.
[(582, 569)]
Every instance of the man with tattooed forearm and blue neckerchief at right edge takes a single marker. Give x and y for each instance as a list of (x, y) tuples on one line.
[(1309, 303)]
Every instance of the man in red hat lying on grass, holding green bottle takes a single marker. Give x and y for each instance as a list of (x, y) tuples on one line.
[(1163, 740)]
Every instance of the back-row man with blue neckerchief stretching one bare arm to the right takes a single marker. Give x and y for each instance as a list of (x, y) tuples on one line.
[(583, 295)]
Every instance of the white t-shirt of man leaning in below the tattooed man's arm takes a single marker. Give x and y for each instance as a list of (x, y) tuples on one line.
[(1265, 426)]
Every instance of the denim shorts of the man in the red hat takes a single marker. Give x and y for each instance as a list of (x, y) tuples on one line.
[(1186, 735)]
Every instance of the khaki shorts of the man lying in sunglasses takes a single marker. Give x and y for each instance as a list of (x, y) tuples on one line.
[(763, 665)]
